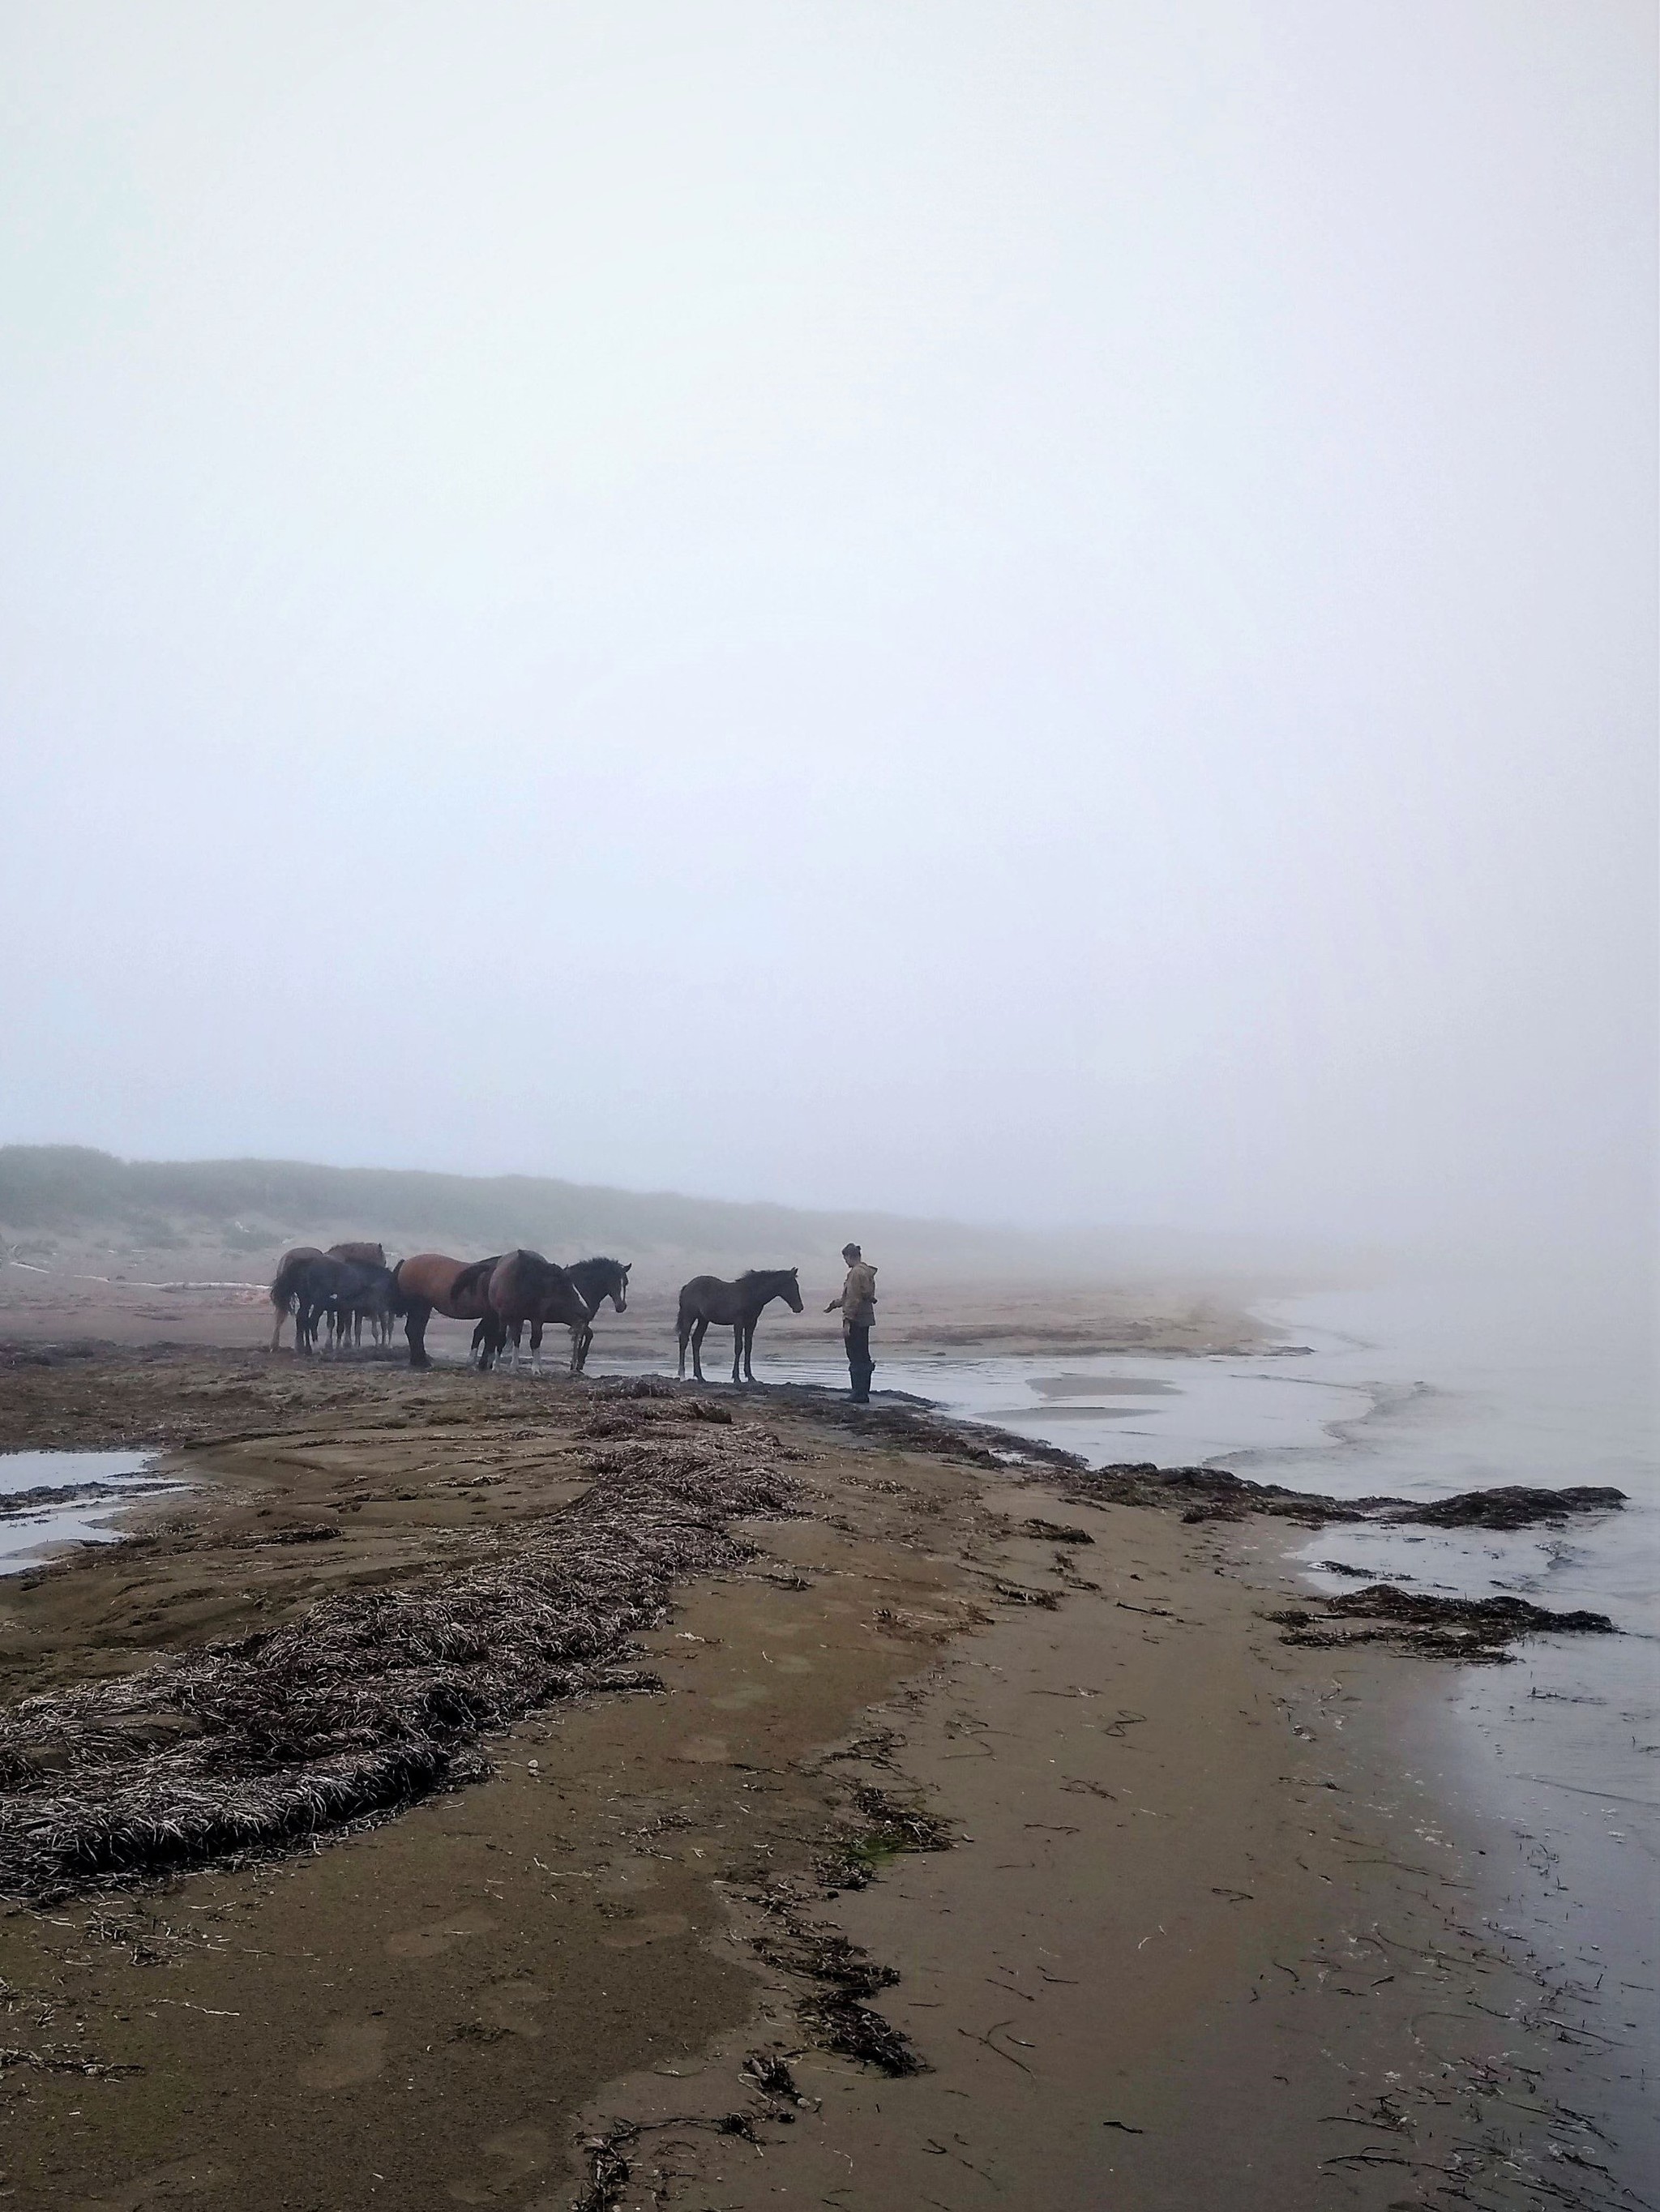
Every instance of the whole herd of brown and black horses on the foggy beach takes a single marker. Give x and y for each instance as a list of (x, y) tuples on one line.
[(335, 1293)]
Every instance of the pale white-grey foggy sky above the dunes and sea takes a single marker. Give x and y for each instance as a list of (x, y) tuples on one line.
[(1030, 612)]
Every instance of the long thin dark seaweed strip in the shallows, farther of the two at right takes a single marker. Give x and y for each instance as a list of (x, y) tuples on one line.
[(1214, 1494)]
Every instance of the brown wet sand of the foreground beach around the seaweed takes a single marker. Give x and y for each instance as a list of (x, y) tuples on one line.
[(1199, 1939)]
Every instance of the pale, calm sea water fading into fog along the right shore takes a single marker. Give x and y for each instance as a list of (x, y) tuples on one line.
[(1420, 1390)]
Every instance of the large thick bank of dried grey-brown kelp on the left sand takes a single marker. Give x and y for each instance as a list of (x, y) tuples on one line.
[(369, 1700)]
